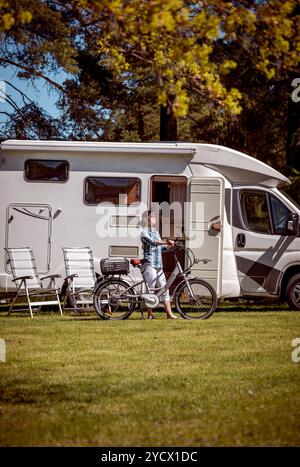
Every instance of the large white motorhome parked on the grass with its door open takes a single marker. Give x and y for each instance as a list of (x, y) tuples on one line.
[(57, 194)]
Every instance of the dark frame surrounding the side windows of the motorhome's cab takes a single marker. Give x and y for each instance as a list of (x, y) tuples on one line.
[(268, 196)]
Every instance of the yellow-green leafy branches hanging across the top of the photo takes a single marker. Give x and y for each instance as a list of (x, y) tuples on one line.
[(173, 42)]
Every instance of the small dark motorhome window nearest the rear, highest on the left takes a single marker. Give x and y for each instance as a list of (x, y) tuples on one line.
[(46, 170)]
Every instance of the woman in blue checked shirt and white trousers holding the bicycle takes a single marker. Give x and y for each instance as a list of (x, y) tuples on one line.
[(152, 270)]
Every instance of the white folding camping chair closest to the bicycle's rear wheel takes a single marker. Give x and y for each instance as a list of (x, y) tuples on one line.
[(81, 277)]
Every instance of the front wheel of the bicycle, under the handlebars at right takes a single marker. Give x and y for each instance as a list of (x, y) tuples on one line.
[(198, 300)]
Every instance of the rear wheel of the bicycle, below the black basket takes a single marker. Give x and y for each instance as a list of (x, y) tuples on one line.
[(112, 300)]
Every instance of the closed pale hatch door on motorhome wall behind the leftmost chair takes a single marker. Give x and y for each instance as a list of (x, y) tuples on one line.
[(30, 225)]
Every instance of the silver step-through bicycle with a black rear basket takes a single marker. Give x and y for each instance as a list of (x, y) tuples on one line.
[(115, 298)]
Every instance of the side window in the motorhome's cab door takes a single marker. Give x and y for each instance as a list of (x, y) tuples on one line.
[(256, 212)]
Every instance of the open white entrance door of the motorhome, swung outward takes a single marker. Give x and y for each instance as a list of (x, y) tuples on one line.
[(204, 207)]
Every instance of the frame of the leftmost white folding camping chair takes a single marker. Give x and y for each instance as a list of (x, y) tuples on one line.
[(51, 290)]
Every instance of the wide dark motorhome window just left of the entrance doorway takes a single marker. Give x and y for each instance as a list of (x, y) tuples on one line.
[(116, 190)]
